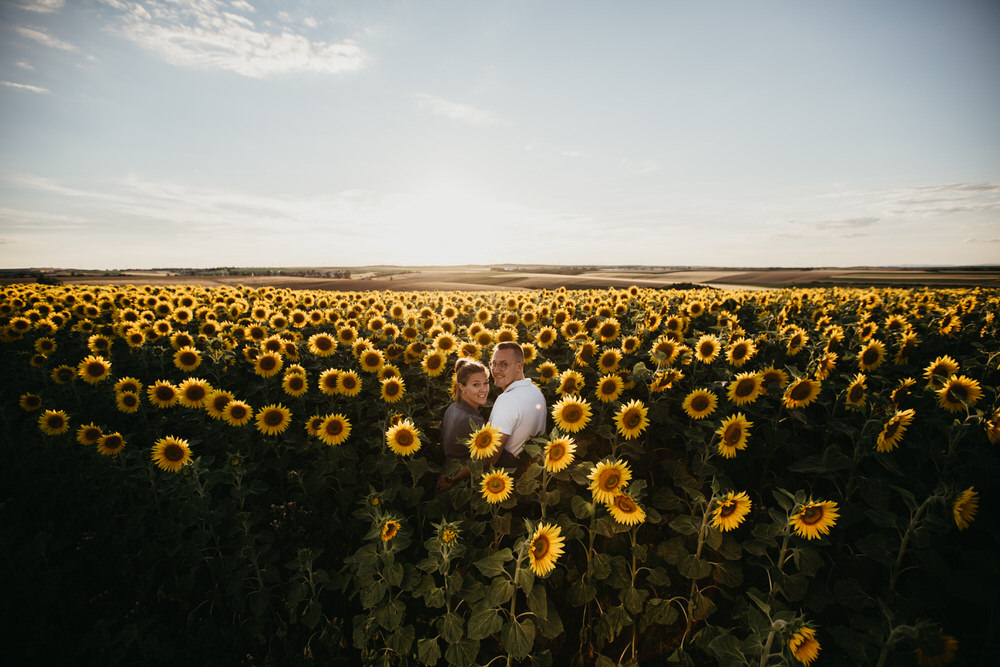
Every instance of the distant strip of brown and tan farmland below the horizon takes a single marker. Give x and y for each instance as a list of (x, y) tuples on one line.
[(423, 279)]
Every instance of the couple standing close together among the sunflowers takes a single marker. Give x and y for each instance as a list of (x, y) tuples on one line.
[(519, 412)]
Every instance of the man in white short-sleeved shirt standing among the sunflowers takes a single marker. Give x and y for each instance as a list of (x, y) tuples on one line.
[(519, 412)]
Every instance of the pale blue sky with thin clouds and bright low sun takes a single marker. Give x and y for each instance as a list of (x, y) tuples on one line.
[(731, 133)]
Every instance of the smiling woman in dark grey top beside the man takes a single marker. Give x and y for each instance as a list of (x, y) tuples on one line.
[(462, 418)]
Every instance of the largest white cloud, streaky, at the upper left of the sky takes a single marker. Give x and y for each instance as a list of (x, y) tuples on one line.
[(209, 35)]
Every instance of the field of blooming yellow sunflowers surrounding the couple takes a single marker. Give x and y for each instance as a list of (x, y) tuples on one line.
[(248, 476)]
